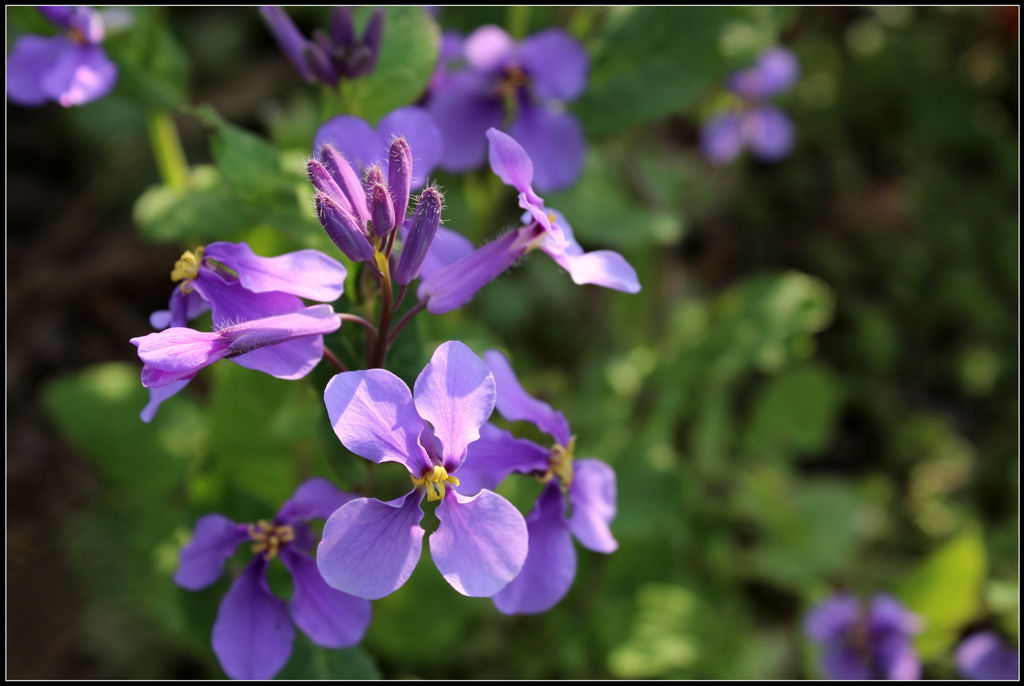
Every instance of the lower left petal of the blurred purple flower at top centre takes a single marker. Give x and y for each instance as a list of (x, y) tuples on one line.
[(464, 109)]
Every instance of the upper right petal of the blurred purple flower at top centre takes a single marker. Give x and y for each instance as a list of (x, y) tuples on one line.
[(558, 66)]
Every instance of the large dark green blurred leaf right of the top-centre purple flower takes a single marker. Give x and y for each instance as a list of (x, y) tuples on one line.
[(651, 63)]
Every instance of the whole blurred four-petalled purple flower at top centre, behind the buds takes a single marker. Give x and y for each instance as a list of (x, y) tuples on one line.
[(539, 75)]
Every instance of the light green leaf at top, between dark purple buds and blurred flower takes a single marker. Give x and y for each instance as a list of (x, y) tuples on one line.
[(408, 58)]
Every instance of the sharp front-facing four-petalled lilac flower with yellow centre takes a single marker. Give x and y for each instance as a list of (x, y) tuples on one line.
[(370, 547)]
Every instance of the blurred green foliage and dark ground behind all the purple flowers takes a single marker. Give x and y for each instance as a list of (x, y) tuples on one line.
[(817, 390)]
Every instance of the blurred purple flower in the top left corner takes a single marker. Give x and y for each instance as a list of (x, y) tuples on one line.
[(70, 68)]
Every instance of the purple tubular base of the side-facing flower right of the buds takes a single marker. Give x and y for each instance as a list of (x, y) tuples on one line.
[(456, 285)]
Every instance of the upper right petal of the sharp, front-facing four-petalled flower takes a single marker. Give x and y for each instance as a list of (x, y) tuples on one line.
[(456, 394)]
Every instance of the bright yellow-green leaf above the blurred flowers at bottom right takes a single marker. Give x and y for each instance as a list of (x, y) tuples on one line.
[(946, 592)]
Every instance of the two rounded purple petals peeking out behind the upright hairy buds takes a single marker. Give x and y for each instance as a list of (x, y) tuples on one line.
[(365, 147)]
